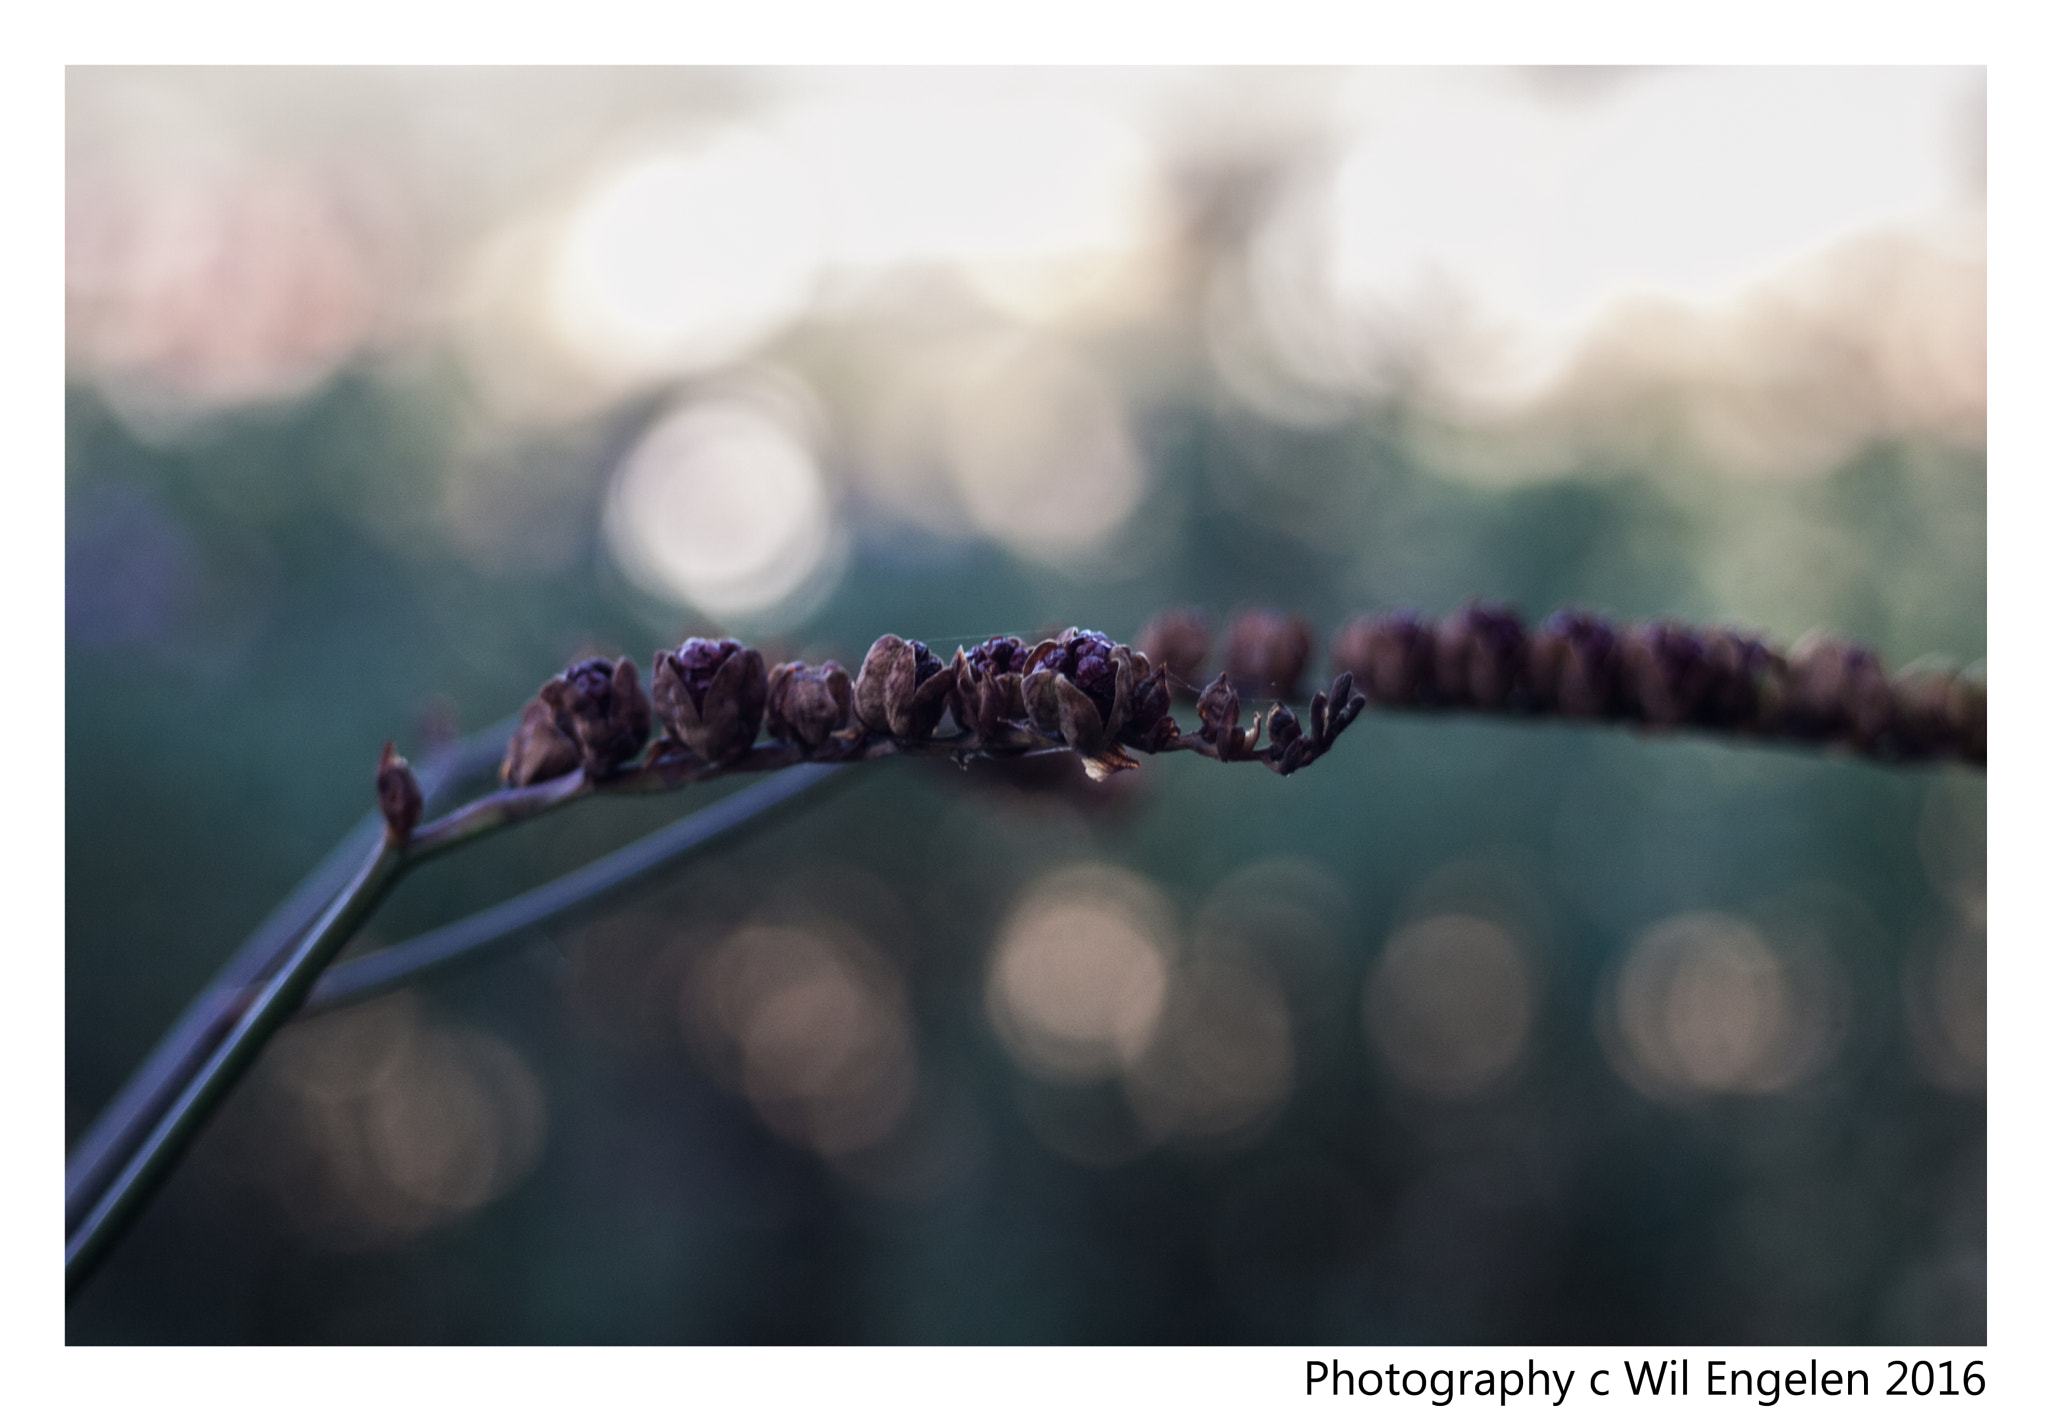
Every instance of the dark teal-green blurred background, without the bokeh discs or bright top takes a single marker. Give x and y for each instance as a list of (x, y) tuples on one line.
[(255, 609)]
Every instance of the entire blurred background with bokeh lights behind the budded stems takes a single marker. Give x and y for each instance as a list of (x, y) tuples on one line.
[(394, 392)]
